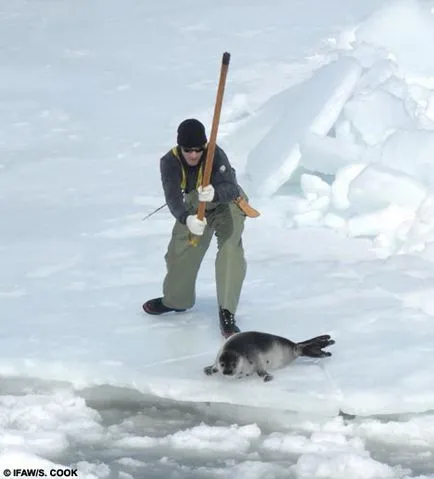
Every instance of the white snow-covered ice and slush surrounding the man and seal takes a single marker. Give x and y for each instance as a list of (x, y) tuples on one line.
[(328, 118)]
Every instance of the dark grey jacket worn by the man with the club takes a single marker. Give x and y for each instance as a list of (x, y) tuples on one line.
[(223, 179)]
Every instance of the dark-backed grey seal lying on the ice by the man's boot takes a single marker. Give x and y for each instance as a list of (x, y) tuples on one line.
[(253, 352)]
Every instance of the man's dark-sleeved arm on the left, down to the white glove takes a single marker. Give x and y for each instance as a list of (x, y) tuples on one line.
[(171, 177)]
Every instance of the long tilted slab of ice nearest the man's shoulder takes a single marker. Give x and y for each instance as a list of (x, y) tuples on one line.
[(311, 107)]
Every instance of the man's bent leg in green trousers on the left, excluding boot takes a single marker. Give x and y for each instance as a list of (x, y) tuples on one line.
[(183, 262)]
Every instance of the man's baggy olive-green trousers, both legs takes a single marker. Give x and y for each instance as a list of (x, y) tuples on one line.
[(183, 260)]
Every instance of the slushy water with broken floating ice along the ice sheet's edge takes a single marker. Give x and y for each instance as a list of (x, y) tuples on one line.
[(118, 433)]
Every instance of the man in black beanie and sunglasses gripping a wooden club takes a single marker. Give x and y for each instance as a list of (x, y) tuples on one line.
[(181, 174)]
